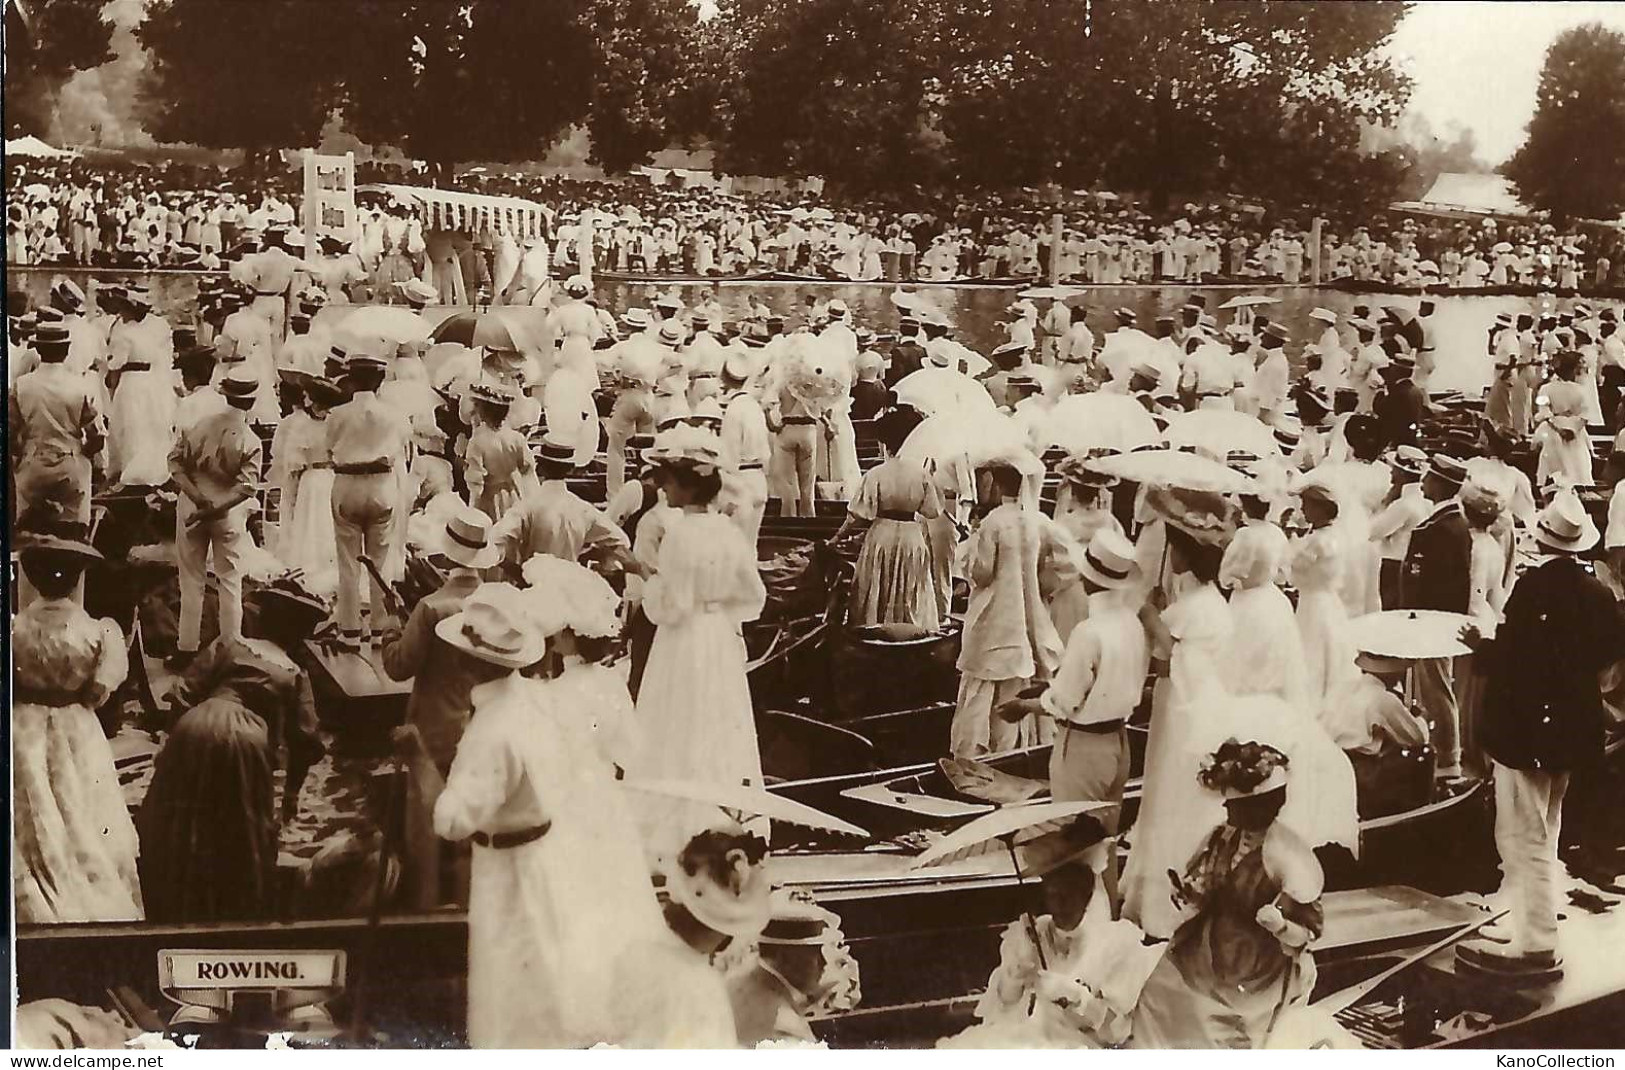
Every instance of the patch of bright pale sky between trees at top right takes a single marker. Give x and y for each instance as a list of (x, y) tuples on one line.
[(1478, 64)]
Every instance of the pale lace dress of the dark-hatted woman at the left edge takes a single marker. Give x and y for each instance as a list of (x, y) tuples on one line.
[(74, 850)]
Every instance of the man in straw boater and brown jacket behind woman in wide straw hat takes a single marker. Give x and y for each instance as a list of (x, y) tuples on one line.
[(443, 682)]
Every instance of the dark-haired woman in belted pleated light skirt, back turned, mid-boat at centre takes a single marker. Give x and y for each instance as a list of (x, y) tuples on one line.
[(893, 580)]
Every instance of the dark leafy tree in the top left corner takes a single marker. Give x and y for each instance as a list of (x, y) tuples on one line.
[(46, 41)]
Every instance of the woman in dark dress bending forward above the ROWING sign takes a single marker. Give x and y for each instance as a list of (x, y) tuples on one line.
[(210, 822)]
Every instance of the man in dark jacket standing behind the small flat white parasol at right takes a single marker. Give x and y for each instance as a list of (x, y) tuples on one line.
[(1437, 576)]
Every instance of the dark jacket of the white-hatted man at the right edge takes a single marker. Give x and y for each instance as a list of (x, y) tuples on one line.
[(1543, 705)]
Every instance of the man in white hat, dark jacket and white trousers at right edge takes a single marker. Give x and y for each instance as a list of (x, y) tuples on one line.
[(1543, 720)]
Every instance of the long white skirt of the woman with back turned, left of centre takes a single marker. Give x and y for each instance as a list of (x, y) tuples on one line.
[(696, 721)]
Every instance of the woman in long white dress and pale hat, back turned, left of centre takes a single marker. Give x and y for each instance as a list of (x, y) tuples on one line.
[(695, 702)]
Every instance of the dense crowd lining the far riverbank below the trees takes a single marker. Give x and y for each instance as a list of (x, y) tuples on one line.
[(191, 219)]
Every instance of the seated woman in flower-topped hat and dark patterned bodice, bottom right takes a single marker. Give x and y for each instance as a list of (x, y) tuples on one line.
[(1252, 905)]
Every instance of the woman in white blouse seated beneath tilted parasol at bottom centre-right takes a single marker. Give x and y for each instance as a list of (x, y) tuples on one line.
[(1068, 978)]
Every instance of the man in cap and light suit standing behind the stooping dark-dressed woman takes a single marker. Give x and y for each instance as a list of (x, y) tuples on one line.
[(217, 468)]
